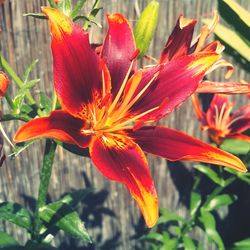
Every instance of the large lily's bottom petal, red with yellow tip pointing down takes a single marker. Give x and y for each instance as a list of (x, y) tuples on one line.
[(118, 158)]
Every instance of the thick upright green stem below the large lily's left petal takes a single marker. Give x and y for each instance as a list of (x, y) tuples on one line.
[(44, 183)]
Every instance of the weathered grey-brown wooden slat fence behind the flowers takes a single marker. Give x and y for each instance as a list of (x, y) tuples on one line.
[(116, 216)]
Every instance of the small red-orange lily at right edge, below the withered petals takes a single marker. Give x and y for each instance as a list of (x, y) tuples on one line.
[(220, 123)]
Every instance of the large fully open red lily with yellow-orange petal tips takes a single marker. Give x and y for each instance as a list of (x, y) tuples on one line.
[(106, 100)]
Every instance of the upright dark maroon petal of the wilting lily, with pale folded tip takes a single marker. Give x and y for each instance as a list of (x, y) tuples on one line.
[(179, 41)]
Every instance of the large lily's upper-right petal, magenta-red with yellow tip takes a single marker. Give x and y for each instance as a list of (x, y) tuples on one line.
[(177, 80)]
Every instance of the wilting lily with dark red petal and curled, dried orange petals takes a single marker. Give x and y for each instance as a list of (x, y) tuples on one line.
[(180, 43)]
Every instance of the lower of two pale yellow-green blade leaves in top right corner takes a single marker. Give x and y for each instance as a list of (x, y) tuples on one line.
[(231, 38)]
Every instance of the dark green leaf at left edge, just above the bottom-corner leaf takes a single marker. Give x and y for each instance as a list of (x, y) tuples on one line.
[(15, 214)]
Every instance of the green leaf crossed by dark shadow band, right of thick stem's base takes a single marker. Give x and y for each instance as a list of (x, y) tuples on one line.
[(62, 215)]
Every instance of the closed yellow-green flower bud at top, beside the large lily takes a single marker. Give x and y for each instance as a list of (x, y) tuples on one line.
[(146, 26)]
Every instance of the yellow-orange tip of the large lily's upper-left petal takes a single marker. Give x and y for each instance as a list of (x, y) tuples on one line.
[(59, 23)]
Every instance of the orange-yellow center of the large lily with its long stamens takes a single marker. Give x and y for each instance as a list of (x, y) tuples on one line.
[(107, 114)]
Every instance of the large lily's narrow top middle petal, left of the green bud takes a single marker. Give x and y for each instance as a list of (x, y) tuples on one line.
[(118, 48)]
